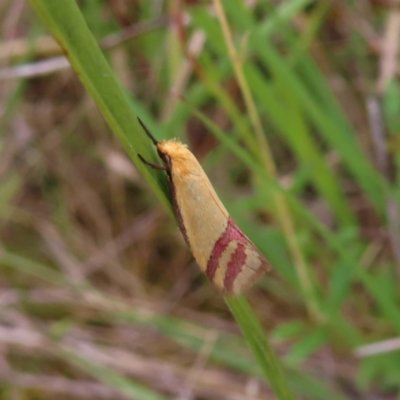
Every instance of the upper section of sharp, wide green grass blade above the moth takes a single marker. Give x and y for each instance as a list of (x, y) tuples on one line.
[(67, 25)]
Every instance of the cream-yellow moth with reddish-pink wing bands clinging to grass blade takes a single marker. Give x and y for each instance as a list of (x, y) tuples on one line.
[(224, 253)]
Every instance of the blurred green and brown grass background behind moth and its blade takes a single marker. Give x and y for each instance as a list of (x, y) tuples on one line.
[(99, 295)]
